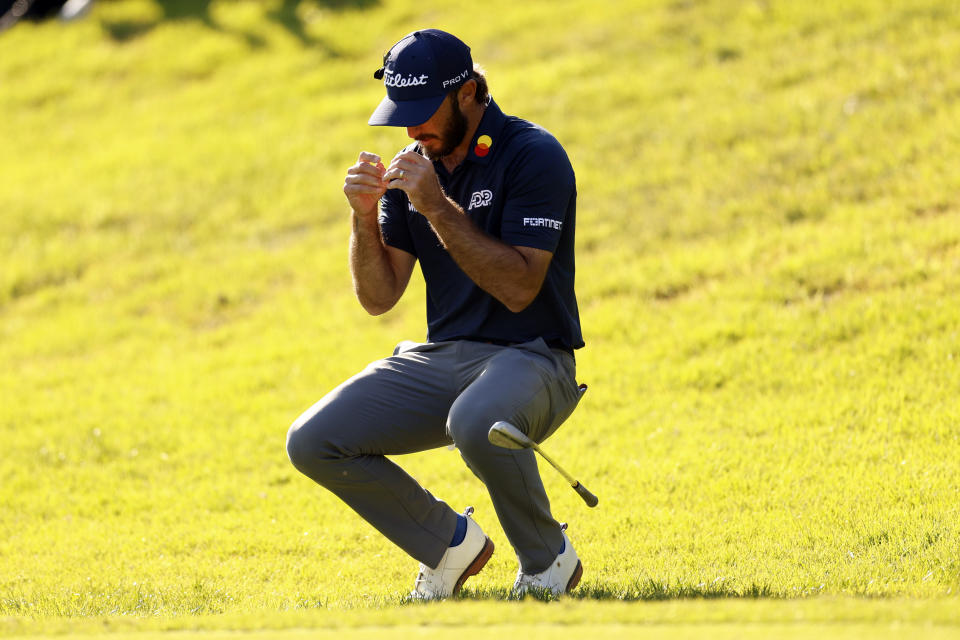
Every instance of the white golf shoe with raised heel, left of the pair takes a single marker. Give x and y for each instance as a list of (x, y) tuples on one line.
[(457, 564)]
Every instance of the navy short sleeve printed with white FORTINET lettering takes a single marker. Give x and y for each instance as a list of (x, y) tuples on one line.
[(540, 189)]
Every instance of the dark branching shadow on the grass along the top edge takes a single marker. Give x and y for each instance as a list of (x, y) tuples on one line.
[(287, 15)]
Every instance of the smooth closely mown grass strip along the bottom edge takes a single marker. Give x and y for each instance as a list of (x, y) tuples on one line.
[(833, 617)]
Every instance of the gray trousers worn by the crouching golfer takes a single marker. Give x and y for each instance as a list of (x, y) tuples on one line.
[(431, 395)]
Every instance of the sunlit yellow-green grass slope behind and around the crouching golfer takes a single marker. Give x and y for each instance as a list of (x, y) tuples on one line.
[(768, 274)]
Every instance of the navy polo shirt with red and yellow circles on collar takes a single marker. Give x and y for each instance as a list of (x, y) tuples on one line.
[(516, 184)]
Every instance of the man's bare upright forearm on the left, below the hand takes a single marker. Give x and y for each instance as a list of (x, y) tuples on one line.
[(374, 280)]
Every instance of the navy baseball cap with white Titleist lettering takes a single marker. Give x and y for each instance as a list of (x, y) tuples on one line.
[(418, 72)]
